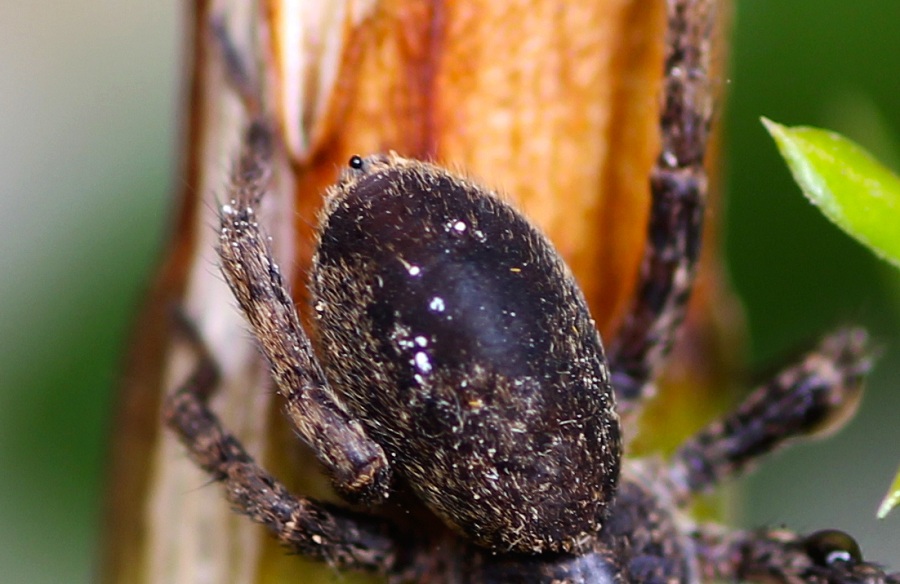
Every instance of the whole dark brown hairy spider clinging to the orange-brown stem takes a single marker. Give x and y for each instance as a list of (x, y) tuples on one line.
[(456, 365)]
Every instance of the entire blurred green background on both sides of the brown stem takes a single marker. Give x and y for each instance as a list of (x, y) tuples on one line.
[(88, 95)]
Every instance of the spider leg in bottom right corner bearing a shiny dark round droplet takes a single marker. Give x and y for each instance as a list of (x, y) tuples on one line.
[(824, 557)]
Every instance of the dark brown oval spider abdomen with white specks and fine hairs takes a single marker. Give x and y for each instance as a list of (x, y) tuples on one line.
[(459, 338)]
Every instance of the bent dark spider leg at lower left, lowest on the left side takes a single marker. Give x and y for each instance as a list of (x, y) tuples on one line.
[(311, 528)]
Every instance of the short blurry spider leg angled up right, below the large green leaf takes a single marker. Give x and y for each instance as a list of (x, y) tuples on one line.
[(815, 395)]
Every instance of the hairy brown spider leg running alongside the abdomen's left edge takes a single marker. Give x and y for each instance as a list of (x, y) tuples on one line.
[(357, 465)]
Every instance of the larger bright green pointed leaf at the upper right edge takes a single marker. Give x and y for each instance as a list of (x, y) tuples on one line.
[(851, 188)]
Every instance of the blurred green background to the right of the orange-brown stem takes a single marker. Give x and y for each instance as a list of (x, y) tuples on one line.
[(833, 64)]
